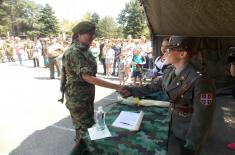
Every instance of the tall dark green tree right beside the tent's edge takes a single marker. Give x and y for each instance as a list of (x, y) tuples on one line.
[(132, 19)]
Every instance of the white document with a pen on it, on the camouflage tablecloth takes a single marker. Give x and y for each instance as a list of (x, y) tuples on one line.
[(129, 120)]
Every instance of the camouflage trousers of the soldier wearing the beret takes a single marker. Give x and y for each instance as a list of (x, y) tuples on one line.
[(82, 115)]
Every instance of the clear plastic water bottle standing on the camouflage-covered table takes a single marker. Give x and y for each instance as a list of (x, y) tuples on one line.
[(100, 119)]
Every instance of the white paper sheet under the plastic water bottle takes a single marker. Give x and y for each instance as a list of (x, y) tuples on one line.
[(95, 134)]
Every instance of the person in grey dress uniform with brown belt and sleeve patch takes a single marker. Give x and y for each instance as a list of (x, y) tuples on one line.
[(192, 98)]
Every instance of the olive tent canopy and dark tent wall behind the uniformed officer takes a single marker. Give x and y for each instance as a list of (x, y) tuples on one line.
[(212, 21)]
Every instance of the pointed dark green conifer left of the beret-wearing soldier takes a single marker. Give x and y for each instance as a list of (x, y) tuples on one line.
[(49, 25)]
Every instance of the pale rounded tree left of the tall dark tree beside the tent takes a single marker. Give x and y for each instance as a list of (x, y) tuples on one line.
[(107, 28)]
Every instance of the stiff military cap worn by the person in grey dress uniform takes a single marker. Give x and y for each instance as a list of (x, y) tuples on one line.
[(186, 43)]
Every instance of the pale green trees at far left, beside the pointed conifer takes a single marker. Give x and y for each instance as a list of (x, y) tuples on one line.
[(18, 17)]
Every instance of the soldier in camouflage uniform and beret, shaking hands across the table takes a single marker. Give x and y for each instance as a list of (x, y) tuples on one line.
[(78, 78)]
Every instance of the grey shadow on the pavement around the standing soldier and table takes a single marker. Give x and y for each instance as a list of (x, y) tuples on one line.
[(56, 139)]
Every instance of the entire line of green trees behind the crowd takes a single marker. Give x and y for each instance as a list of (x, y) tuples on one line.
[(25, 17)]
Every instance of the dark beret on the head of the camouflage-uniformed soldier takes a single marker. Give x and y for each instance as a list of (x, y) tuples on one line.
[(84, 27)]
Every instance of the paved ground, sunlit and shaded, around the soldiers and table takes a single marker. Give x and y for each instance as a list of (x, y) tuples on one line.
[(34, 123)]
